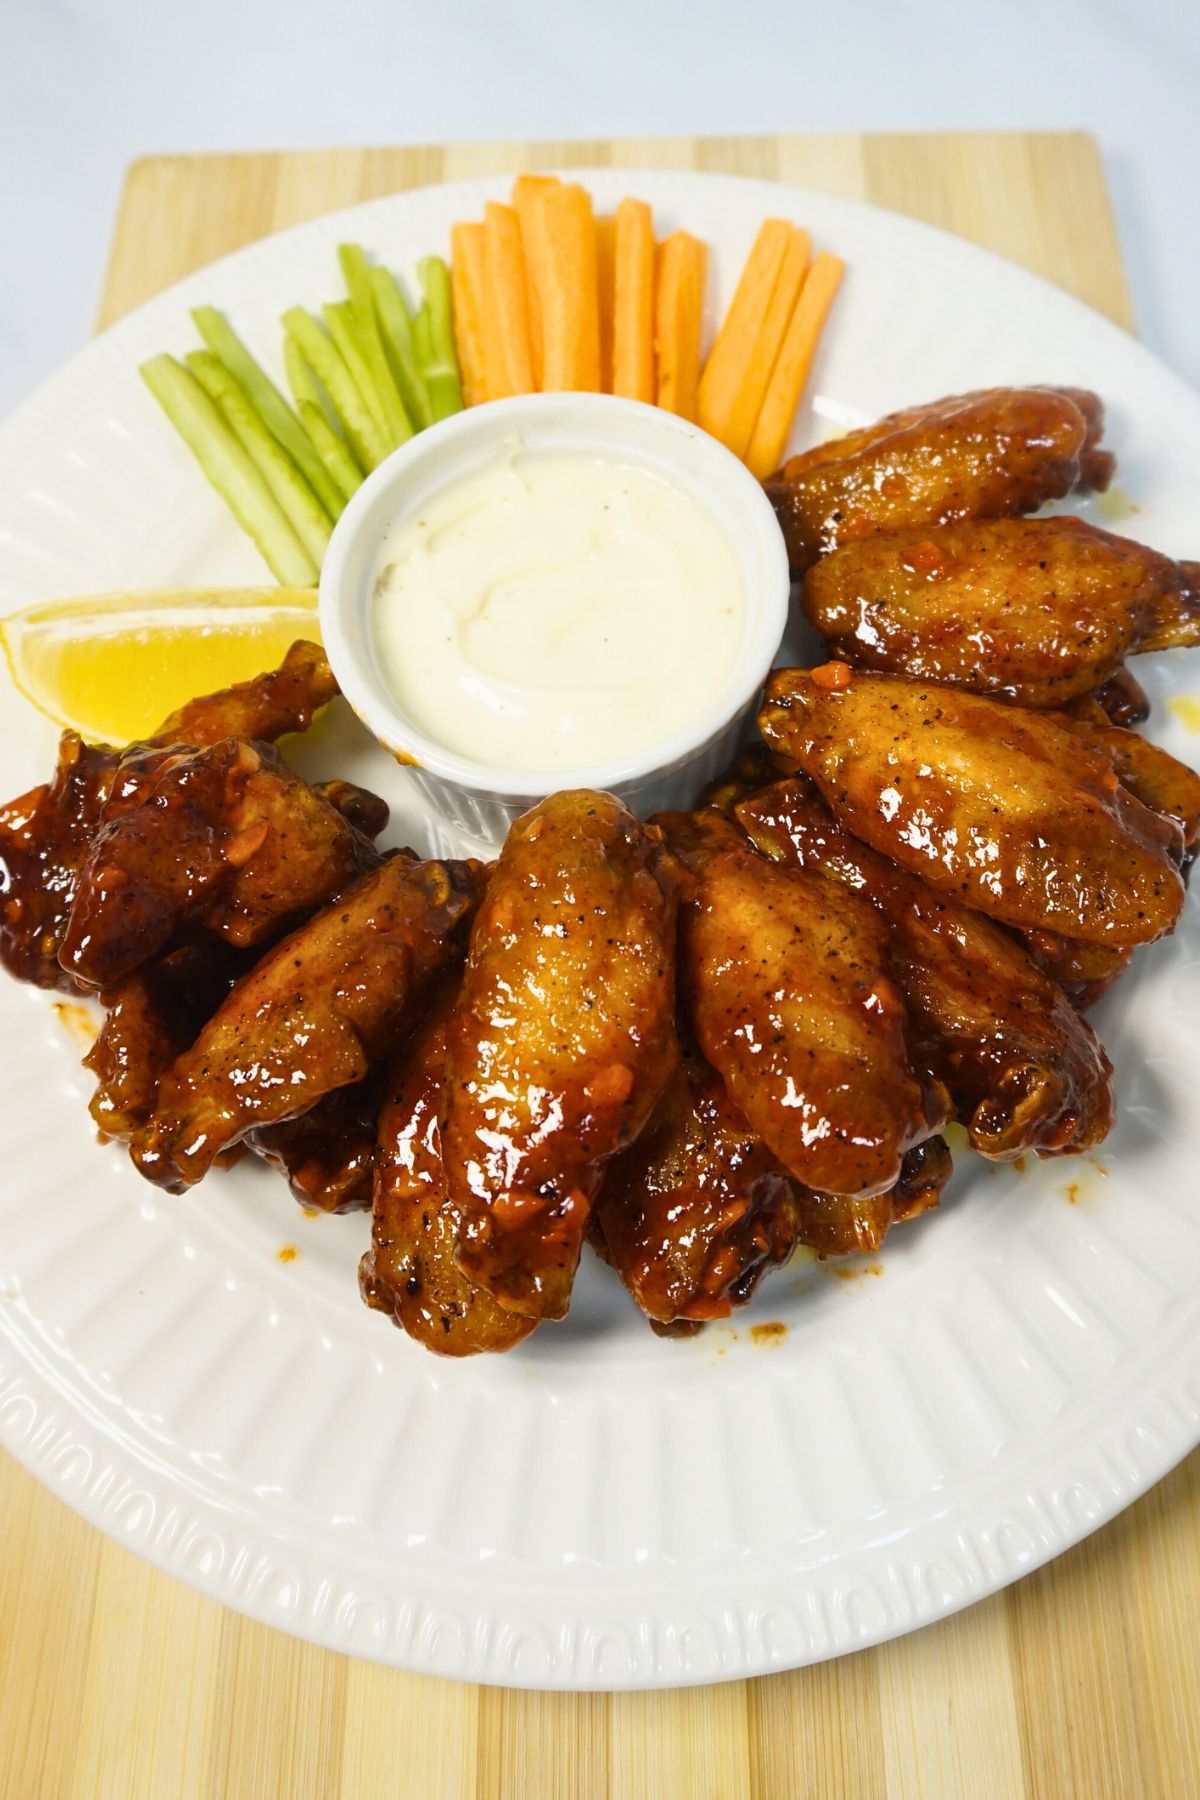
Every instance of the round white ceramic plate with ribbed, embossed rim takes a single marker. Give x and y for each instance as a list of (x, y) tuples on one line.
[(598, 1507)]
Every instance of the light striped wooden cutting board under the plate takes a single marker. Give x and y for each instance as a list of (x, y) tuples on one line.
[(1084, 1680)]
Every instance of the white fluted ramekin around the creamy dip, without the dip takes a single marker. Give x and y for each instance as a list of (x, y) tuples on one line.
[(478, 804)]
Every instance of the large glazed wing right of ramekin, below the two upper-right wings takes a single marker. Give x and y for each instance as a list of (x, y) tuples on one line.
[(1003, 809)]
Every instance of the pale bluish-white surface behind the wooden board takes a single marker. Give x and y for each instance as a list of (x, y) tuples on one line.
[(89, 85)]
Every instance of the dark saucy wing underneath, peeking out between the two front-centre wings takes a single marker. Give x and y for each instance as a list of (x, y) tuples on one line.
[(699, 1209)]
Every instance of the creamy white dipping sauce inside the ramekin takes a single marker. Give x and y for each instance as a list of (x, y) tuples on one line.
[(557, 609)]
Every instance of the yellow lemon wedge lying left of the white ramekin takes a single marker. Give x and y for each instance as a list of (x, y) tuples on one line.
[(116, 665)]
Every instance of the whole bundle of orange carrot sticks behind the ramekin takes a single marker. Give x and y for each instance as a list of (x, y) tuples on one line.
[(551, 298)]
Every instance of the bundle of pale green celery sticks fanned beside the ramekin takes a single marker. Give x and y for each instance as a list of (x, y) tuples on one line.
[(364, 381)]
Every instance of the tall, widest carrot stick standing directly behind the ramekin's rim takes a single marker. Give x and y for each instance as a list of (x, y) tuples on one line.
[(564, 271)]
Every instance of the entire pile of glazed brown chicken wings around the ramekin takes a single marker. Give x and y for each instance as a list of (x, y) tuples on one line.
[(694, 1043)]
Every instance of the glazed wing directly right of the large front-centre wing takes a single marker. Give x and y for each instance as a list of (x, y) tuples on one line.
[(789, 994)]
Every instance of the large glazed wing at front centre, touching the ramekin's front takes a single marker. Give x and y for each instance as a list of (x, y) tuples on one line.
[(562, 1041)]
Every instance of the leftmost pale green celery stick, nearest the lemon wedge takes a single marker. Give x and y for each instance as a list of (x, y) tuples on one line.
[(229, 469)]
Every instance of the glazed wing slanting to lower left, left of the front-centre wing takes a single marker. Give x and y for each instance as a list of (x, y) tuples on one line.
[(312, 1016)]
